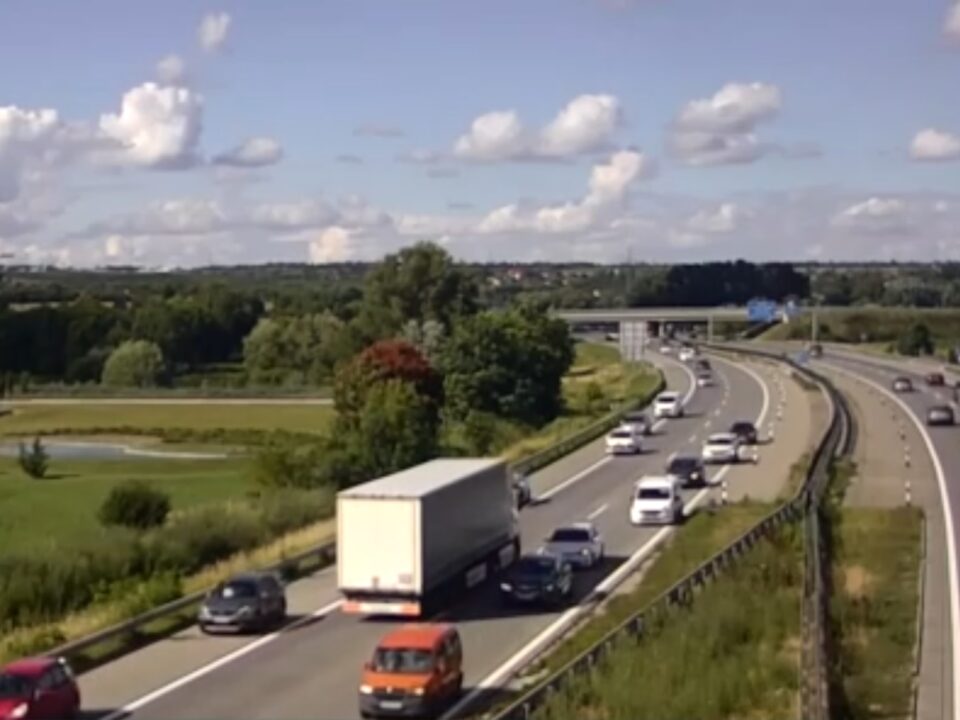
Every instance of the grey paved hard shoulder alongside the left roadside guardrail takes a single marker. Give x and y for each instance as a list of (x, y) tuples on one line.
[(136, 674)]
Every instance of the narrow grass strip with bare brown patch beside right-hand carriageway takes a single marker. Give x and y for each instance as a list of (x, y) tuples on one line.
[(876, 597)]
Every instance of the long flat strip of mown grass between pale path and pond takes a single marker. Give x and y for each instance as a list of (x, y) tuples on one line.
[(99, 418)]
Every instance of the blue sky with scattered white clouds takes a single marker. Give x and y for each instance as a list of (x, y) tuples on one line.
[(175, 134)]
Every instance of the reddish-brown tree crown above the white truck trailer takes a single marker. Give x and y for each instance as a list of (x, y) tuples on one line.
[(383, 361)]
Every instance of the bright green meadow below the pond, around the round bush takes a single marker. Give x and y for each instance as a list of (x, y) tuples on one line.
[(62, 508)]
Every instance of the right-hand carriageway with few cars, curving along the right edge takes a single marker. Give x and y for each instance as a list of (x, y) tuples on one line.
[(943, 445)]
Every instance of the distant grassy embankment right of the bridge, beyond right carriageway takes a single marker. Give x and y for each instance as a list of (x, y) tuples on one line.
[(871, 325)]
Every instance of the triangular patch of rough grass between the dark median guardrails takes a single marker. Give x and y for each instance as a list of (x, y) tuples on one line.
[(734, 652)]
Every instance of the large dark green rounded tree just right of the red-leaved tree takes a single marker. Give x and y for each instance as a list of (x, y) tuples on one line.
[(510, 364)]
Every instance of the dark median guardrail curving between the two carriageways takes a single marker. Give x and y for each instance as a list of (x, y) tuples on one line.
[(815, 698)]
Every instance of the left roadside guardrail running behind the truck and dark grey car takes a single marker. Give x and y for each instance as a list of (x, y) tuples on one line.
[(326, 554)]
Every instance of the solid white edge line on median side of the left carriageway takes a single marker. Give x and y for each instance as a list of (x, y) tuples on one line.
[(529, 651)]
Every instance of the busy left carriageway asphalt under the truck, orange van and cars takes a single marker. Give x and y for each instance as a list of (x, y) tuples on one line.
[(312, 667)]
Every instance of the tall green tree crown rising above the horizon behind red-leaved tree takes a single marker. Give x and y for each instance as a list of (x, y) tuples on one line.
[(418, 283)]
